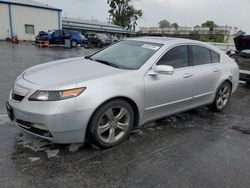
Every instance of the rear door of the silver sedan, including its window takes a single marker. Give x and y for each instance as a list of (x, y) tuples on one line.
[(207, 74)]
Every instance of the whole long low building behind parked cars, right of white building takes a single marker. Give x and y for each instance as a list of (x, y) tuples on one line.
[(88, 26)]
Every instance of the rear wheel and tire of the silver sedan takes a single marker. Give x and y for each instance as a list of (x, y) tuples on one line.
[(222, 97)]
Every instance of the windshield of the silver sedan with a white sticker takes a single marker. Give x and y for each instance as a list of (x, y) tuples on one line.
[(127, 54)]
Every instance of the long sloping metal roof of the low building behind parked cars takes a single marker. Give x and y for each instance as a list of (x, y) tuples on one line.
[(92, 25)]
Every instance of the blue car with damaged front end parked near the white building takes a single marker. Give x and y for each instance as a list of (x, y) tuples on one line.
[(59, 37)]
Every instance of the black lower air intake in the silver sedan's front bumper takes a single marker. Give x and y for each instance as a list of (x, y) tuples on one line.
[(28, 127)]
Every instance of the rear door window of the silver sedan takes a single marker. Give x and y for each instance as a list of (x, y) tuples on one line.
[(200, 55)]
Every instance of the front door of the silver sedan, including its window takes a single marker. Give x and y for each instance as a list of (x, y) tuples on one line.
[(167, 94)]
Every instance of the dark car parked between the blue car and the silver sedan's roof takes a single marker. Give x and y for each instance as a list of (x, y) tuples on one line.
[(99, 39)]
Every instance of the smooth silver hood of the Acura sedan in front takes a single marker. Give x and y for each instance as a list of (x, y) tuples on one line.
[(68, 71)]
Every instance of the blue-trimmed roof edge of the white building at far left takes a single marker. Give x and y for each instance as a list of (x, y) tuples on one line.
[(29, 3)]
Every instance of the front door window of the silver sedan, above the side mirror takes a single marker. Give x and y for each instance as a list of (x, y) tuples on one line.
[(176, 57)]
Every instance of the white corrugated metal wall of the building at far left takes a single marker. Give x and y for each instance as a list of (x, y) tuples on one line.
[(42, 19)]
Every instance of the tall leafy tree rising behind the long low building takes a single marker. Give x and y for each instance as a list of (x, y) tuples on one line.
[(124, 14)]
